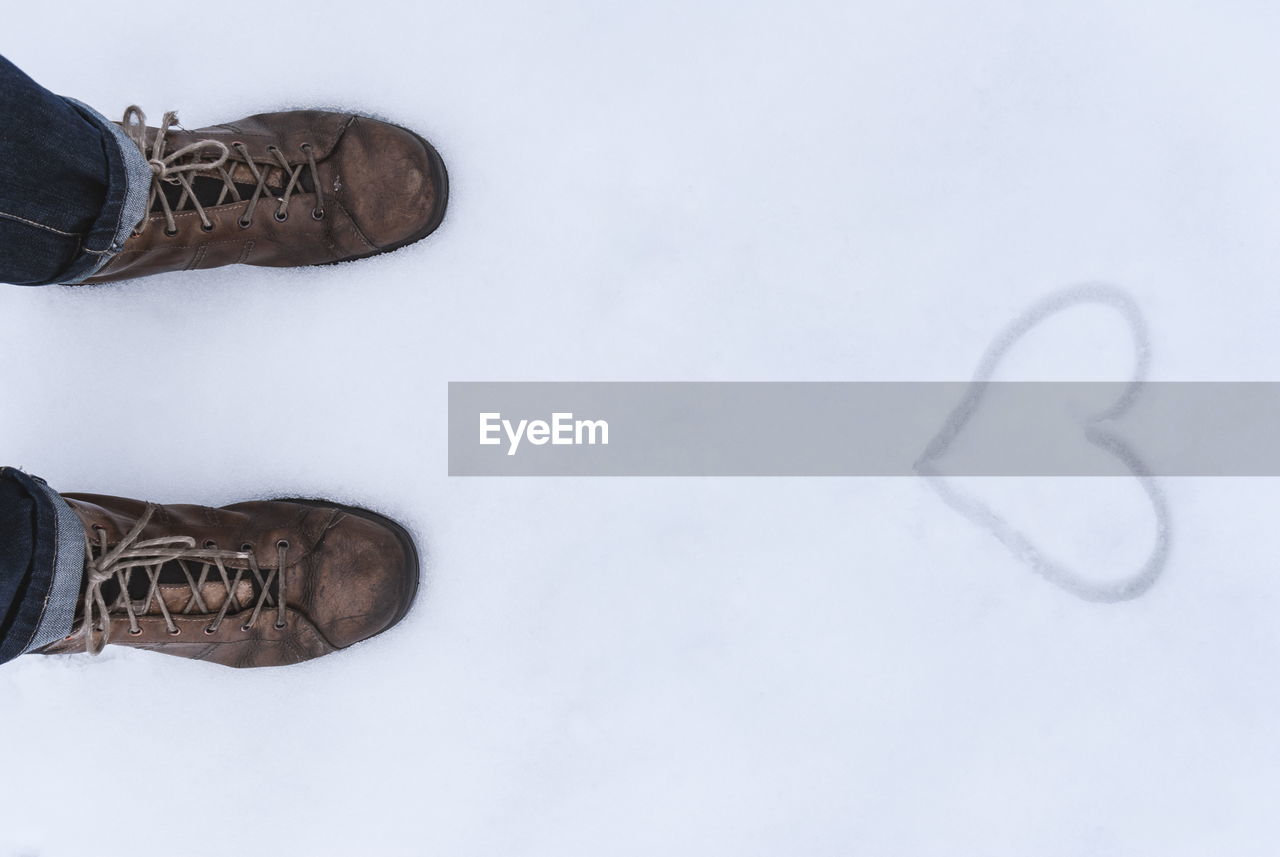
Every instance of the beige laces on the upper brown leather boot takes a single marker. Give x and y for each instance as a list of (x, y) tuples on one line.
[(181, 167)]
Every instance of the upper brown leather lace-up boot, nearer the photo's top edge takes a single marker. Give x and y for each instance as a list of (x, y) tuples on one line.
[(305, 187)]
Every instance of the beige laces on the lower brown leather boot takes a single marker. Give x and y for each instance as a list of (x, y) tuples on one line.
[(149, 556)]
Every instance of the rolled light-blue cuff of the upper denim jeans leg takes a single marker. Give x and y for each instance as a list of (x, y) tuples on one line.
[(129, 193)]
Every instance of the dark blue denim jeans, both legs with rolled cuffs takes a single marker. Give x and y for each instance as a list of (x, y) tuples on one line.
[(71, 190)]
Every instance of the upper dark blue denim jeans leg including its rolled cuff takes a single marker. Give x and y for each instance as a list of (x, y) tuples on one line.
[(63, 186)]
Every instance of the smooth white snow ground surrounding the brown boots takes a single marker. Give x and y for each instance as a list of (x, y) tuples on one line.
[(683, 191)]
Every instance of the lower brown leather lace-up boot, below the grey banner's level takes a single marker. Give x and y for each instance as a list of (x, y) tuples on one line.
[(259, 584)]
